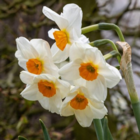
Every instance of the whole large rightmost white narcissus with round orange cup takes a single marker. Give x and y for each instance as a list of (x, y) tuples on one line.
[(88, 68)]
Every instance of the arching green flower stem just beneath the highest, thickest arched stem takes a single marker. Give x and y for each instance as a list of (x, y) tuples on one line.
[(105, 41)]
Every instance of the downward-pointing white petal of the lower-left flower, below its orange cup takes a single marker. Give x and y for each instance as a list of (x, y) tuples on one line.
[(52, 104)]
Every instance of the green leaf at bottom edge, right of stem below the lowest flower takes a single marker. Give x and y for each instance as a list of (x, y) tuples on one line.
[(107, 133)]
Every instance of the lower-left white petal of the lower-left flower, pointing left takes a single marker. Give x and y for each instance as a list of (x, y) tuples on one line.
[(32, 93)]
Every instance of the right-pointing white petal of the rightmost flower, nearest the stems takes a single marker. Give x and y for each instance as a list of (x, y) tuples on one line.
[(111, 75)]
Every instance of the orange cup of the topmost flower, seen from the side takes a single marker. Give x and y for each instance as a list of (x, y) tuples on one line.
[(61, 38)]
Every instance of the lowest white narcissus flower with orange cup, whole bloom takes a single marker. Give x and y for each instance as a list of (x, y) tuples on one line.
[(79, 103)]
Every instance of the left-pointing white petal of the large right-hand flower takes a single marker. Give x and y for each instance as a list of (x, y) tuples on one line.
[(70, 71)]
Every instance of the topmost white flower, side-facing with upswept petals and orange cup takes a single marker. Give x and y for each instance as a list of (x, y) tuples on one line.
[(69, 23)]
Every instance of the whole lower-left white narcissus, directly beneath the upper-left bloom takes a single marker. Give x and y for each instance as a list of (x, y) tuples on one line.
[(46, 89)]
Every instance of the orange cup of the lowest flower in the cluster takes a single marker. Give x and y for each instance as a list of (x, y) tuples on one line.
[(79, 102)]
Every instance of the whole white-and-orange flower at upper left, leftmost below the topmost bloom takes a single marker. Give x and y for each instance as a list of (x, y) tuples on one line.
[(35, 56)]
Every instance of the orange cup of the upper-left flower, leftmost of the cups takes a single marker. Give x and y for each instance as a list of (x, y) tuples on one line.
[(34, 66)]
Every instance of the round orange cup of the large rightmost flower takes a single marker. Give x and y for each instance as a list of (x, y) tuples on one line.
[(88, 71)]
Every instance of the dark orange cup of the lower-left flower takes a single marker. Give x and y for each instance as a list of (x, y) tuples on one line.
[(46, 88)]
